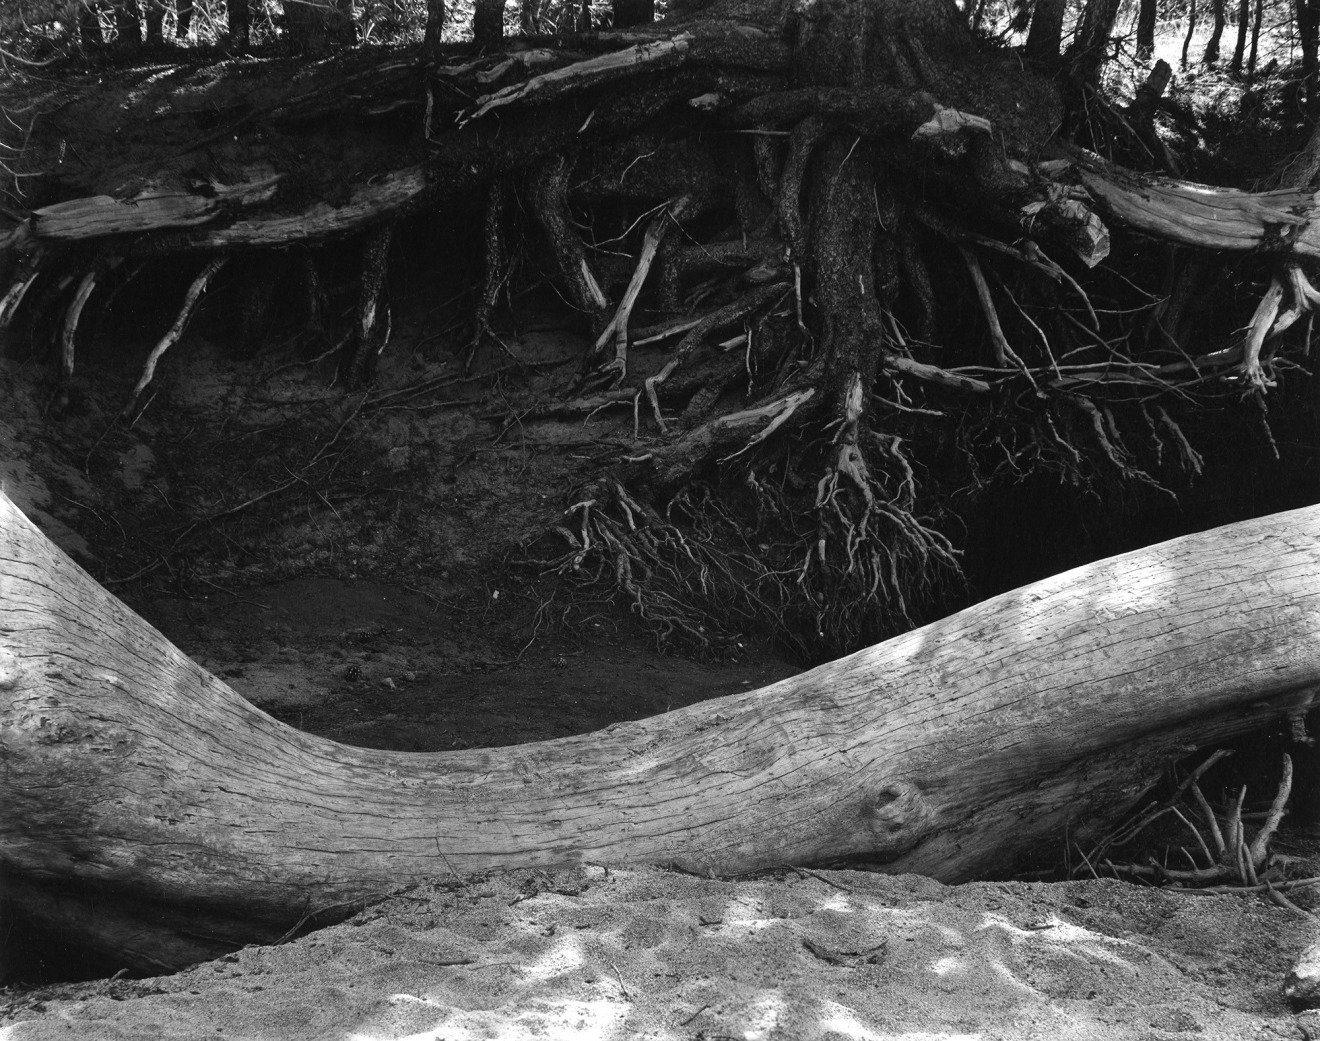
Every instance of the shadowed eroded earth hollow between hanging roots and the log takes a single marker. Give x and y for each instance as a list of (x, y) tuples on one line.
[(377, 565)]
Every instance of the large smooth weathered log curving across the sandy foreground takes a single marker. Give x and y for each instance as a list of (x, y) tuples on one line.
[(151, 811)]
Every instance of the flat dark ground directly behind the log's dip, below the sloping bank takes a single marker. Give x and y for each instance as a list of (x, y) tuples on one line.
[(432, 667)]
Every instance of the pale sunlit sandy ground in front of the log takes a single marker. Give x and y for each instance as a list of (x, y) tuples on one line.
[(599, 953)]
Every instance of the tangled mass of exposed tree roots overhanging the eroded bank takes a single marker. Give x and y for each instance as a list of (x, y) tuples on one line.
[(839, 300)]
